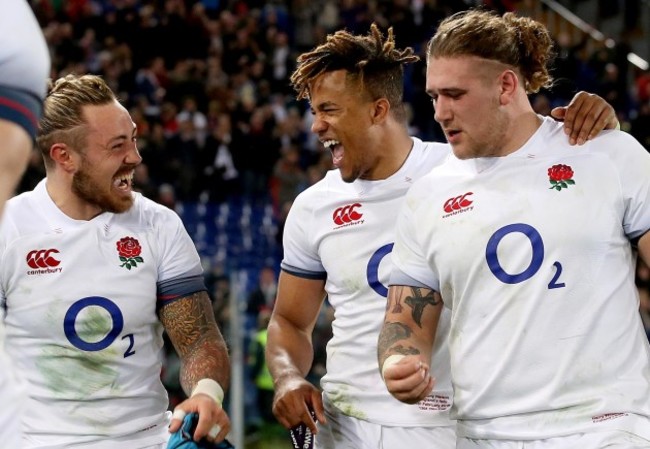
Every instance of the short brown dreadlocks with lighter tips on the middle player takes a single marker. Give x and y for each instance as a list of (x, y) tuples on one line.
[(371, 60)]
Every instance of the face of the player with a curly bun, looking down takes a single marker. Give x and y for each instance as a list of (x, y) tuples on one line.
[(466, 93)]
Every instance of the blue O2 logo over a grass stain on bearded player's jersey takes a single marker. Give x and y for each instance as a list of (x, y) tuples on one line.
[(117, 325)]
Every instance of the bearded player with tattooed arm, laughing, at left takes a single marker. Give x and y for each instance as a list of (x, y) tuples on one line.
[(91, 274)]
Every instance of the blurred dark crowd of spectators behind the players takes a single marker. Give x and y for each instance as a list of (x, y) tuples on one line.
[(207, 83)]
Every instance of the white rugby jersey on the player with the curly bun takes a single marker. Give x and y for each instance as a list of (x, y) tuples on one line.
[(532, 253)]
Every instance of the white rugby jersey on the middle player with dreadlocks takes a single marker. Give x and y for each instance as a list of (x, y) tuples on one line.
[(343, 232)]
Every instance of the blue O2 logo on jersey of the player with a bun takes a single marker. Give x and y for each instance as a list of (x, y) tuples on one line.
[(537, 245)]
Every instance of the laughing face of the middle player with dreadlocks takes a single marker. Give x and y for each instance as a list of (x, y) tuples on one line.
[(343, 121)]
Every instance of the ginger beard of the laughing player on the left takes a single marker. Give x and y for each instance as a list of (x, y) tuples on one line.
[(88, 189)]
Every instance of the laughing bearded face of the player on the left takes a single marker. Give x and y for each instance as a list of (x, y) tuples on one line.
[(104, 174)]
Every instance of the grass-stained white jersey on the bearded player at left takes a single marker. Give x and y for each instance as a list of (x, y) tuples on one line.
[(81, 299)]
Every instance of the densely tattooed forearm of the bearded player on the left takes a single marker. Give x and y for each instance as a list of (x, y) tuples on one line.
[(191, 327)]
